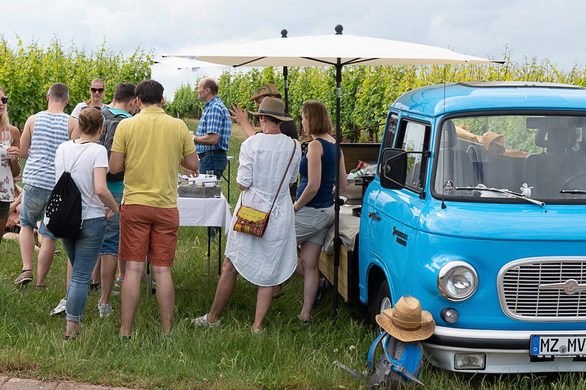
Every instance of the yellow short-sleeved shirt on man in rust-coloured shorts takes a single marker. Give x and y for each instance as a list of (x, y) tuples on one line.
[(153, 144)]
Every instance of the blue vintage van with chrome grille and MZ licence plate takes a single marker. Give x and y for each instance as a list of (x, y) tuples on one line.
[(479, 210)]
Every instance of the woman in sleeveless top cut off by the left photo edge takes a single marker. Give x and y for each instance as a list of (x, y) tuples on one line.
[(9, 160)]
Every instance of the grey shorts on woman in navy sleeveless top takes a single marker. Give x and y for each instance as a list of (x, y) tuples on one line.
[(312, 224)]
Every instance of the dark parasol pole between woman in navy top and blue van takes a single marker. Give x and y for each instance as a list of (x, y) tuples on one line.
[(337, 194)]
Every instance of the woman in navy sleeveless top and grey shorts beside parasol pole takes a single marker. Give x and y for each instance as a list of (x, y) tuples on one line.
[(314, 207)]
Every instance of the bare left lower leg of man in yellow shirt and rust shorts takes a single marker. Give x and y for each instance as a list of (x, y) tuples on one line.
[(130, 295)]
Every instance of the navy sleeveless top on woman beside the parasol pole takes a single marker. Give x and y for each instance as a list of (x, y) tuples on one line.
[(324, 197)]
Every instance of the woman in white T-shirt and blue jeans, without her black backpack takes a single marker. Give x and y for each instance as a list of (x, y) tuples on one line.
[(88, 163)]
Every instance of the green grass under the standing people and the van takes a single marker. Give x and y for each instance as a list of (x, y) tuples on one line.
[(286, 356)]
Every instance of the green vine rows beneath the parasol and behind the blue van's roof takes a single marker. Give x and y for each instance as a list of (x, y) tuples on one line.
[(367, 92)]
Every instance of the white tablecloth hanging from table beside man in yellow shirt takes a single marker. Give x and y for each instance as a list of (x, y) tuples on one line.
[(204, 211)]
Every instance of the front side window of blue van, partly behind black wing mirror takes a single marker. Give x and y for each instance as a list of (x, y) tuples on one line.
[(414, 137)]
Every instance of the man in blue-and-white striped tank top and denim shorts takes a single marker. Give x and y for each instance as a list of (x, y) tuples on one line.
[(43, 133)]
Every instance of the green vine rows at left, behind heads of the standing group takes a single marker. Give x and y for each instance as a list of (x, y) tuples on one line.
[(28, 71)]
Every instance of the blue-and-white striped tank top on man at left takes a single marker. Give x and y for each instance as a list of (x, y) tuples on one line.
[(49, 131)]
